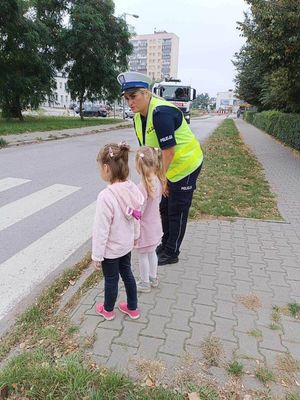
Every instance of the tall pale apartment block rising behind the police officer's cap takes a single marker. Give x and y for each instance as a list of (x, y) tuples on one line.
[(155, 55)]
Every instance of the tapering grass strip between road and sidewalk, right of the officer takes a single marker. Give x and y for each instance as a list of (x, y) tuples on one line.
[(232, 183)]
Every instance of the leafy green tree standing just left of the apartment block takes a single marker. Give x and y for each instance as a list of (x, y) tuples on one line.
[(96, 50)]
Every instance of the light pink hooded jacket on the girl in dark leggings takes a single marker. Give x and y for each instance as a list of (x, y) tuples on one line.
[(115, 224)]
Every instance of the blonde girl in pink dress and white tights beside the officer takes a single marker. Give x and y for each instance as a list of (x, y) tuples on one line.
[(149, 167)]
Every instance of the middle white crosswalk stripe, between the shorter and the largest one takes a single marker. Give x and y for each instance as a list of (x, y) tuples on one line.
[(26, 206)]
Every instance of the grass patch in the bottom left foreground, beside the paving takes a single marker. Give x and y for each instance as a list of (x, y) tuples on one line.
[(37, 376)]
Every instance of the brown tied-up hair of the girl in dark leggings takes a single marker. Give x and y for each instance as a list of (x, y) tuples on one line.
[(116, 157)]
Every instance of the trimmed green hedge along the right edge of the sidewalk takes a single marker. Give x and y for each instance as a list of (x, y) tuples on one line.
[(285, 127)]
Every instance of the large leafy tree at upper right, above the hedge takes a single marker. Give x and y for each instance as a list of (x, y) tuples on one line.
[(268, 66)]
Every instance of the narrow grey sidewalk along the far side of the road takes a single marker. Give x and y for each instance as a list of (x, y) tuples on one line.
[(65, 135)]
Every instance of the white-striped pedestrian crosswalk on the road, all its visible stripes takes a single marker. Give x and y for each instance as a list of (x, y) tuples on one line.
[(27, 268)]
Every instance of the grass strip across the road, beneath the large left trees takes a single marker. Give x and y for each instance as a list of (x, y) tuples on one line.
[(42, 124)]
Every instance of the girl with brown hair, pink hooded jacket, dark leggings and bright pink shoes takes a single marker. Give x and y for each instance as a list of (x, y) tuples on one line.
[(117, 213)]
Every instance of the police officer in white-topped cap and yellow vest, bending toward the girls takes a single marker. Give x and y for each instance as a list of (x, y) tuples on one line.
[(158, 123)]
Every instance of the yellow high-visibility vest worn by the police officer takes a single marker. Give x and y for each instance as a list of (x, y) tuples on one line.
[(188, 154)]
